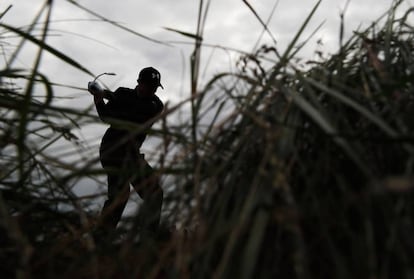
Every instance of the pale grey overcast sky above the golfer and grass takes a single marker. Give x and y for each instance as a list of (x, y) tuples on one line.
[(102, 47)]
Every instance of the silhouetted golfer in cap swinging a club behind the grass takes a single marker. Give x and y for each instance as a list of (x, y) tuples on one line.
[(120, 148)]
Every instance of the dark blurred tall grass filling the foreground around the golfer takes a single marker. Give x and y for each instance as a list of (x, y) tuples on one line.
[(281, 171)]
